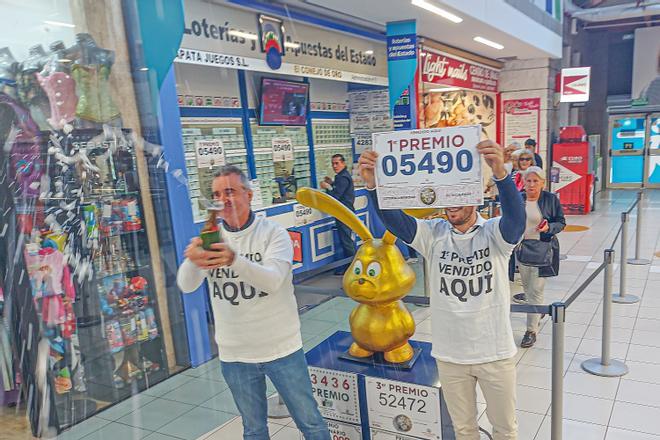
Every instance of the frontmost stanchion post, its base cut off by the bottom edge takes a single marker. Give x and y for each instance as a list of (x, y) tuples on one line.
[(558, 327)]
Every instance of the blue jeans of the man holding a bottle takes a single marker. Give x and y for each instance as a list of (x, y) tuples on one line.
[(289, 374)]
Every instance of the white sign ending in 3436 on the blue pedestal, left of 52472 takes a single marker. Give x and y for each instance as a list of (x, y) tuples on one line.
[(336, 393)]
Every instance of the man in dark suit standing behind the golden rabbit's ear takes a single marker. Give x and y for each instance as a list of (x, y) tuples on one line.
[(341, 188)]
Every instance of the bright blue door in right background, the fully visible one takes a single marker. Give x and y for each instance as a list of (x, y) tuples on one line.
[(627, 146)]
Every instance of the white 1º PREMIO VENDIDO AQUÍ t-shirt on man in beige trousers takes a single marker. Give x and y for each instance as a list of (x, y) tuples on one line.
[(470, 299)]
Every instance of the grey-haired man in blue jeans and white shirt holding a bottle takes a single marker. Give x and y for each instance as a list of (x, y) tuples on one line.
[(257, 327)]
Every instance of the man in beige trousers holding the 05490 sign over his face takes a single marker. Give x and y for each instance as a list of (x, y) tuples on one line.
[(472, 339)]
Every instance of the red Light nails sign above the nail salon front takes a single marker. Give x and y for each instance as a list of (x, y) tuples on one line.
[(448, 70)]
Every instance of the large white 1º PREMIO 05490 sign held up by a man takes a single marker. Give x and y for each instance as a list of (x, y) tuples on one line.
[(430, 168)]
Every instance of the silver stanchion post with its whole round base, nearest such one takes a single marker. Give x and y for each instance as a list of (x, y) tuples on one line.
[(604, 366)]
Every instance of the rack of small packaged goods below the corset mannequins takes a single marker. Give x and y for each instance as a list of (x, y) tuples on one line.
[(89, 223)]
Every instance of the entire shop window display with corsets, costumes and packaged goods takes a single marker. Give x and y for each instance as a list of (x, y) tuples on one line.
[(85, 291)]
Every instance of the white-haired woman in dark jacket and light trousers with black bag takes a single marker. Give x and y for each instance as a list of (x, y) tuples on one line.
[(545, 219)]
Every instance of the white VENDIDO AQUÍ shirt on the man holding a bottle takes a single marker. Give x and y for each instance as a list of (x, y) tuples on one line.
[(255, 310)]
